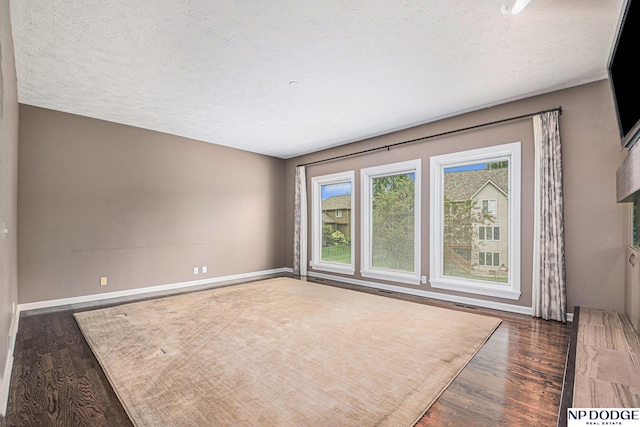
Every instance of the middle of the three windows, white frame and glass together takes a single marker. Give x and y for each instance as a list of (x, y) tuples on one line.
[(391, 222)]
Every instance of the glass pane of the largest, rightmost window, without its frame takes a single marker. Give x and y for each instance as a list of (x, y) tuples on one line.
[(480, 193)]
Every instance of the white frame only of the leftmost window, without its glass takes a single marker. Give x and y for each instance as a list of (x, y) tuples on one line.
[(317, 263)]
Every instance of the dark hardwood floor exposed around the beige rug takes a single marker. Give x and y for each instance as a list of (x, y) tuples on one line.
[(514, 380)]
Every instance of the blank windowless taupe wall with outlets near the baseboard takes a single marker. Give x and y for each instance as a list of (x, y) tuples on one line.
[(139, 207)]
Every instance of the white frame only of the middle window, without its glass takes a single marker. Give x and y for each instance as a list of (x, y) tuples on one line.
[(366, 176)]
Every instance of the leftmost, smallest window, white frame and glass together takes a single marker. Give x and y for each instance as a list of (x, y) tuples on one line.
[(333, 223)]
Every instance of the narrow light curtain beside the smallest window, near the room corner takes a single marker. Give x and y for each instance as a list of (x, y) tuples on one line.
[(300, 224)]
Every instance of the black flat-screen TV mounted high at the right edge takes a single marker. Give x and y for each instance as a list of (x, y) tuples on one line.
[(624, 74)]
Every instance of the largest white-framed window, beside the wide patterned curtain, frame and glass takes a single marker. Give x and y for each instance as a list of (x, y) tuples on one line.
[(484, 226)]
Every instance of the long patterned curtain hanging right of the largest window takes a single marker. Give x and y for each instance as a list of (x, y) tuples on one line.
[(549, 286)]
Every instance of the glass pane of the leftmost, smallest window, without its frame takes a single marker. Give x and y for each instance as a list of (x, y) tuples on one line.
[(336, 222)]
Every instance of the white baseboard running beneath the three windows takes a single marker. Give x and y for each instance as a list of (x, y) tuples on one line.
[(512, 308)]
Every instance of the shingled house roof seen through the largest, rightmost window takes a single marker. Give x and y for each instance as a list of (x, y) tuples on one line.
[(464, 185)]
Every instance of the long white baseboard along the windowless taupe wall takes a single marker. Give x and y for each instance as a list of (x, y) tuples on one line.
[(146, 290)]
